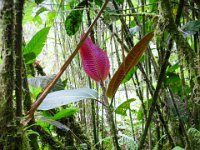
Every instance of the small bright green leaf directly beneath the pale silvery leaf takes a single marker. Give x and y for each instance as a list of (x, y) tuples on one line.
[(65, 113)]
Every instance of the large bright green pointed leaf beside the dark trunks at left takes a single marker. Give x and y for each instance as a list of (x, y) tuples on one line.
[(35, 45)]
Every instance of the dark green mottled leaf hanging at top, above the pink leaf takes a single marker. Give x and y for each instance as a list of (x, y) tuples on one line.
[(74, 19)]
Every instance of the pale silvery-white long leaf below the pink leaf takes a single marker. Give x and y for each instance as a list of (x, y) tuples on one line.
[(64, 97)]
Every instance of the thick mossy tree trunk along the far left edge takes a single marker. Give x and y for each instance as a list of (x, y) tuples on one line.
[(7, 76)]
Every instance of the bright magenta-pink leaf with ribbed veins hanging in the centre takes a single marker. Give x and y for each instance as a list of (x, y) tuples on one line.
[(94, 60)]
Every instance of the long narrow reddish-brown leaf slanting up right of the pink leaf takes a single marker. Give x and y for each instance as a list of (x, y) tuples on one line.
[(130, 61)]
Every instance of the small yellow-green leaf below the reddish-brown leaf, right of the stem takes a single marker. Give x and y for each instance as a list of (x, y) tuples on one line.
[(122, 108)]
